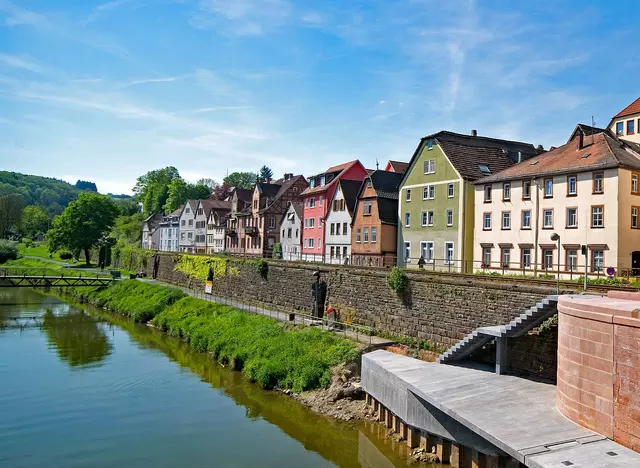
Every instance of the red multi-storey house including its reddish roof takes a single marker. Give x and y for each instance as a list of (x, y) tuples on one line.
[(316, 205)]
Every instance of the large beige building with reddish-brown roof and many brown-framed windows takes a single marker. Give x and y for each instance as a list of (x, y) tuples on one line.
[(585, 191)]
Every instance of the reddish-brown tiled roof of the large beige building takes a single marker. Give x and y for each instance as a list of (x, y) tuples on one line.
[(599, 151)]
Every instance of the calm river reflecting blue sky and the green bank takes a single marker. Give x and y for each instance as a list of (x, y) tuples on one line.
[(82, 388)]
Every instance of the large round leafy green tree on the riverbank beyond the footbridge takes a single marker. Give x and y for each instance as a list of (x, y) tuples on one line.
[(83, 223)]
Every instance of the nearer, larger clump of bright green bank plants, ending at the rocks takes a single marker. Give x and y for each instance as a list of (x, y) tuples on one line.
[(299, 359)]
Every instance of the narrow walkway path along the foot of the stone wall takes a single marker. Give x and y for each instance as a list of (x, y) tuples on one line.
[(298, 319)]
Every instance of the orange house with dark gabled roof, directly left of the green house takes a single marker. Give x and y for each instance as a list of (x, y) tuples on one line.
[(375, 221)]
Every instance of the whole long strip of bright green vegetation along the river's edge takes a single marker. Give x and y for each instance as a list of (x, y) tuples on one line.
[(268, 352)]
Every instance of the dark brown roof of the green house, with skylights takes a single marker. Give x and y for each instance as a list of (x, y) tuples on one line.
[(466, 152)]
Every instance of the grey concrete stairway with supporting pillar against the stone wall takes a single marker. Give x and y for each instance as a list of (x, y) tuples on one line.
[(475, 340)]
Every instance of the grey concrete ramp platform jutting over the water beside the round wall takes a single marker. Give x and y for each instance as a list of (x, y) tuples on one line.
[(493, 413)]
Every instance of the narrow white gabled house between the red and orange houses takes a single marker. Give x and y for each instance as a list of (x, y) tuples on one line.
[(337, 227)]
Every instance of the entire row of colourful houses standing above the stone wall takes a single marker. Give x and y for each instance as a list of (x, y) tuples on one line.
[(462, 203)]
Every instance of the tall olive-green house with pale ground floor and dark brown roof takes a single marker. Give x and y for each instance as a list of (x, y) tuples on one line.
[(436, 209)]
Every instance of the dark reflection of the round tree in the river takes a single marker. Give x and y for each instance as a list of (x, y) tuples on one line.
[(77, 338)]
